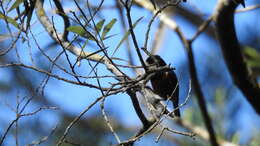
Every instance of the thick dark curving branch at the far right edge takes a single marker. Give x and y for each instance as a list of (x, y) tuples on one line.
[(232, 53)]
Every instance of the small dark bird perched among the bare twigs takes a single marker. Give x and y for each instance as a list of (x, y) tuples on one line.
[(164, 84)]
